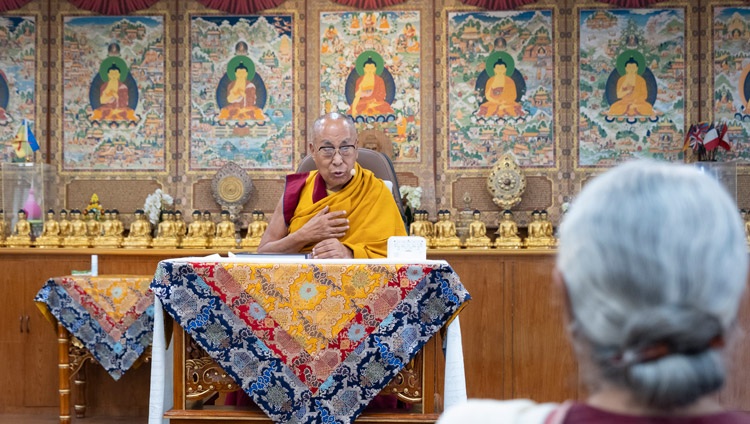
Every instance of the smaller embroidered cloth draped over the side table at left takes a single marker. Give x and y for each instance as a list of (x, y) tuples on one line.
[(113, 316)]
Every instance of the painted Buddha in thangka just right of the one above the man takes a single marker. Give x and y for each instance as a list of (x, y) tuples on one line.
[(499, 85)]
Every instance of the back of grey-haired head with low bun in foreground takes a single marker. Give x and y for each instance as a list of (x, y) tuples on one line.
[(654, 260)]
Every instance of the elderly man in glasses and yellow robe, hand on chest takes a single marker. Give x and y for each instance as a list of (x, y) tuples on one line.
[(340, 210)]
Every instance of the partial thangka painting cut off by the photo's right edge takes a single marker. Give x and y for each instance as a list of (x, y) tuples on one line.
[(731, 76)]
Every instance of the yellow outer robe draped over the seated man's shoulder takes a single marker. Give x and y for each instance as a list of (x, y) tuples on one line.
[(369, 205)]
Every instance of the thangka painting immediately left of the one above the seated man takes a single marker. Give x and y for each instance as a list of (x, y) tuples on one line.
[(241, 92)]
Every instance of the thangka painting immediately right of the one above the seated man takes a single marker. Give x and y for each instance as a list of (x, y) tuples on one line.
[(501, 85)]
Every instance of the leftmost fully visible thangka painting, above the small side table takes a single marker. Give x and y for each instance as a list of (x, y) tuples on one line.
[(113, 93)]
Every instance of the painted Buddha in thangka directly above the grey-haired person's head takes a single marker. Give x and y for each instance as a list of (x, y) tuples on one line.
[(631, 90)]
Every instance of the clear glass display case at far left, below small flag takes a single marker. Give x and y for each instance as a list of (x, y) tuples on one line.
[(26, 186)]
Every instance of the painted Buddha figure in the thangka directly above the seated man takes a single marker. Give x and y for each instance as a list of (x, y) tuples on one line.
[(371, 90)]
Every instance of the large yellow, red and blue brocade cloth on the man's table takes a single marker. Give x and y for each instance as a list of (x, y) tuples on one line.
[(311, 341)]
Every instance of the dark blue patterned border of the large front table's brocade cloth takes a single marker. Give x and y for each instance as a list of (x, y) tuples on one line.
[(274, 385)]
